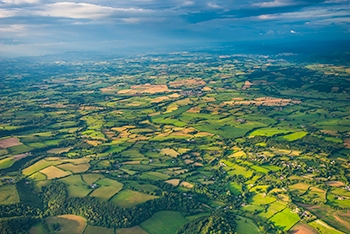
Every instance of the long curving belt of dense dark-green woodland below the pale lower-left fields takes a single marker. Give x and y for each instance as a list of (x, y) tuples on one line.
[(103, 213)]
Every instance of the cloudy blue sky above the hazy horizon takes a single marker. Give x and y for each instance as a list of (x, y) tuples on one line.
[(39, 27)]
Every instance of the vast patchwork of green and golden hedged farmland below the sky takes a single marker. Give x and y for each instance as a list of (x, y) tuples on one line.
[(149, 144)]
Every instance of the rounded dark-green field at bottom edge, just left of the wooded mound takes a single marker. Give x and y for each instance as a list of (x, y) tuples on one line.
[(164, 222)]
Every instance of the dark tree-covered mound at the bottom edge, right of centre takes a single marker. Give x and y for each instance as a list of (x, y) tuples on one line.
[(217, 223)]
